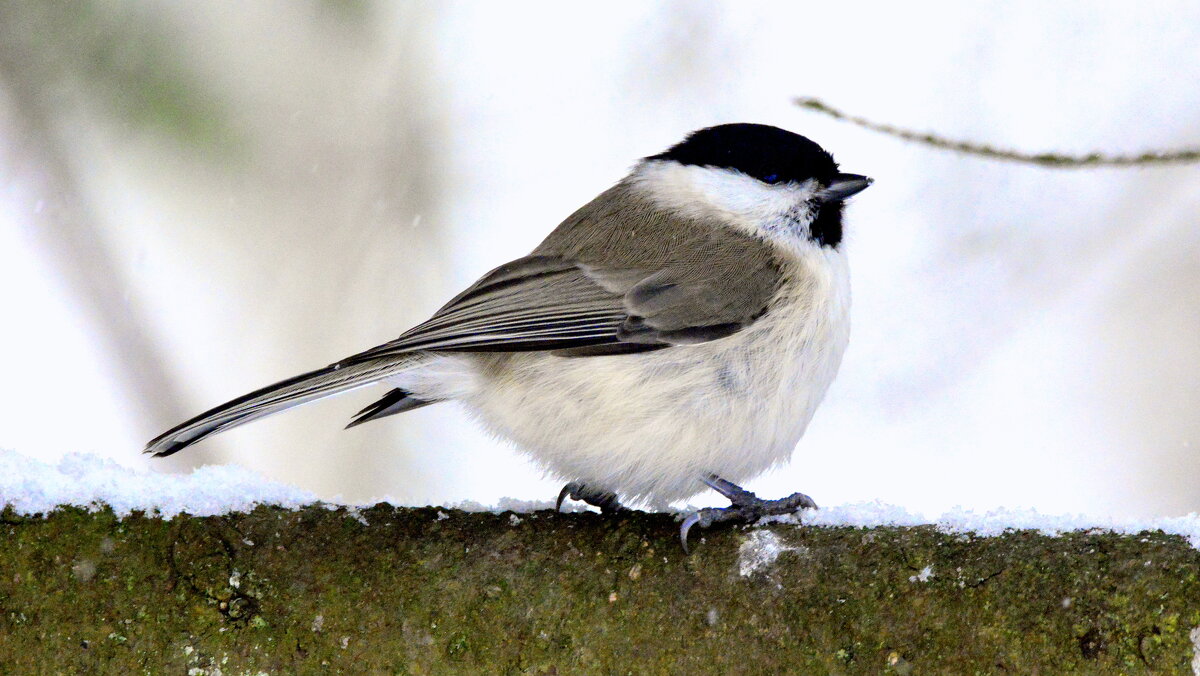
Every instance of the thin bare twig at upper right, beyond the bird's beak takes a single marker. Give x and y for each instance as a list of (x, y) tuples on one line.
[(1054, 160)]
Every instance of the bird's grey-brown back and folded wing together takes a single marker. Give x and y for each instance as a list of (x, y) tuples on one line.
[(620, 276)]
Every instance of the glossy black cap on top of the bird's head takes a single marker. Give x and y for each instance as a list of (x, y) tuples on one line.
[(766, 153)]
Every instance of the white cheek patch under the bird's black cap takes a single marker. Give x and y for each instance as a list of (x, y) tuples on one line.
[(745, 202)]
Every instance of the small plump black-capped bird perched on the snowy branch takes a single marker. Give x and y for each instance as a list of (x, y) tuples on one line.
[(680, 331)]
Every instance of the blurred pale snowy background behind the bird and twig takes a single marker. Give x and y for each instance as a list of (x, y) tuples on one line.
[(201, 199)]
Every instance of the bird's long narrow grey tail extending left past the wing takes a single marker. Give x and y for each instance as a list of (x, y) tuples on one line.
[(273, 399)]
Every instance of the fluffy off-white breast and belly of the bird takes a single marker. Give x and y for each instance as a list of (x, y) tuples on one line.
[(647, 427)]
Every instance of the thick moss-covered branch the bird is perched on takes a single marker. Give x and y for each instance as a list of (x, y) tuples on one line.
[(429, 591)]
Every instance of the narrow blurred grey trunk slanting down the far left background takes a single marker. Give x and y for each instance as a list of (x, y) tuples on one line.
[(35, 56)]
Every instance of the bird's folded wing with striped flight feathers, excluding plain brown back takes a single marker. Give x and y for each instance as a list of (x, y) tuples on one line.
[(548, 303)]
